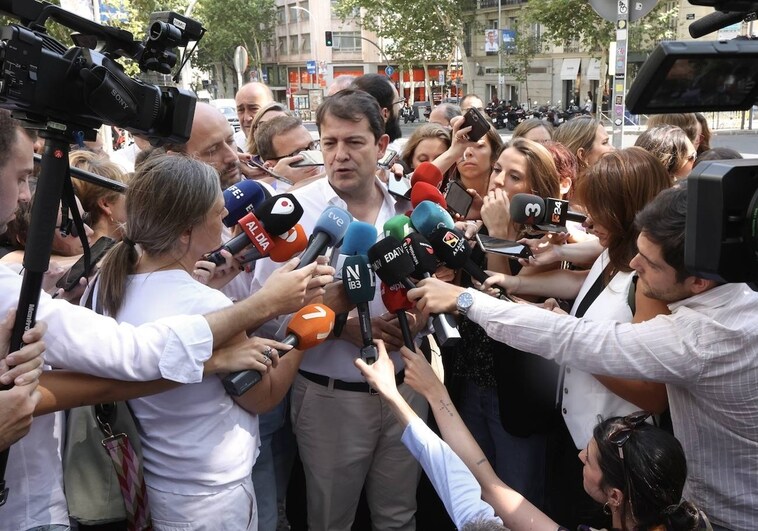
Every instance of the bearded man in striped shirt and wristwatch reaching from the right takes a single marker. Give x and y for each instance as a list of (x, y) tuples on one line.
[(706, 352)]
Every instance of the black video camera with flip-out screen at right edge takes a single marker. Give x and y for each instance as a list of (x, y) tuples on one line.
[(721, 239)]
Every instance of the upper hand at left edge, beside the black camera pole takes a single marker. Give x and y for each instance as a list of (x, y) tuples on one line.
[(26, 363)]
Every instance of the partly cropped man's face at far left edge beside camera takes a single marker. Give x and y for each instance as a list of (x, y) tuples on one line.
[(14, 179)]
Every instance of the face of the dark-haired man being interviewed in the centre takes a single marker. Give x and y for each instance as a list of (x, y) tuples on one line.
[(350, 154)]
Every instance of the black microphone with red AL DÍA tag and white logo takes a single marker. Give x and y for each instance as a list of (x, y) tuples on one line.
[(276, 215)]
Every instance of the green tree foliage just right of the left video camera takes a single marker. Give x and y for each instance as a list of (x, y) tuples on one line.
[(233, 23)]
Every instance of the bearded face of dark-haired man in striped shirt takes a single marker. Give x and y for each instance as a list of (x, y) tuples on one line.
[(657, 278)]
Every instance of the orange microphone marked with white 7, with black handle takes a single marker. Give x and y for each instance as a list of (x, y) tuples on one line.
[(309, 327)]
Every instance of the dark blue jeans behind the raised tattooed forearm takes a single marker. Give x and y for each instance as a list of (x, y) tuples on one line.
[(518, 461)]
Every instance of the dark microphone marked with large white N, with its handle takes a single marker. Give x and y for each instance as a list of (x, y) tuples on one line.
[(360, 287)]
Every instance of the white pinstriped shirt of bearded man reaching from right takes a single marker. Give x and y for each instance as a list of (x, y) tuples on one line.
[(706, 352)]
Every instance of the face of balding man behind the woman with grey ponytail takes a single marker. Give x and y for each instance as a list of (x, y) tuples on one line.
[(211, 141)]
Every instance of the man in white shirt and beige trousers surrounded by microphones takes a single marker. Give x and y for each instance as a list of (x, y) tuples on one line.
[(346, 435)]
